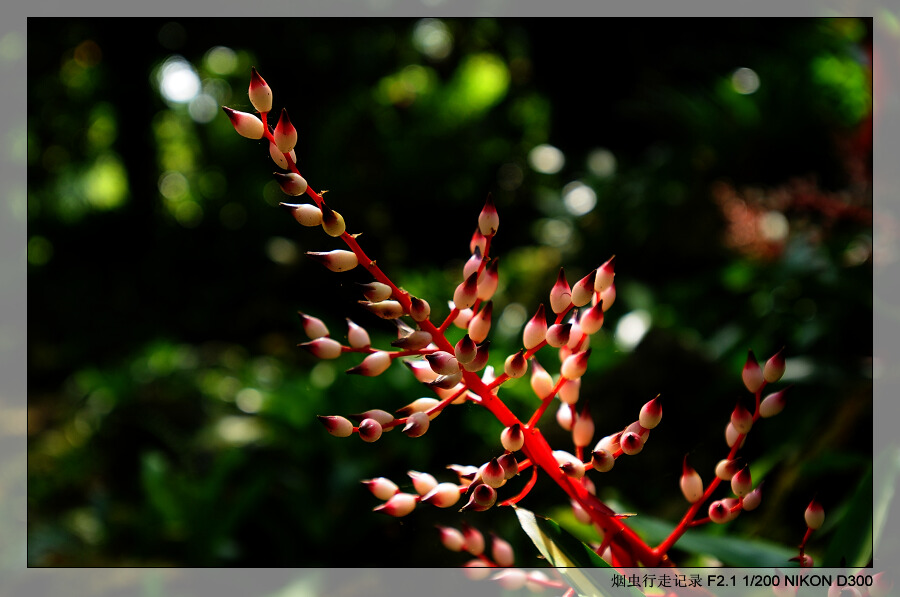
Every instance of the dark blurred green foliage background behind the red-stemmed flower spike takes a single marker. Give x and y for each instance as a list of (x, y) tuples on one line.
[(726, 163)]
